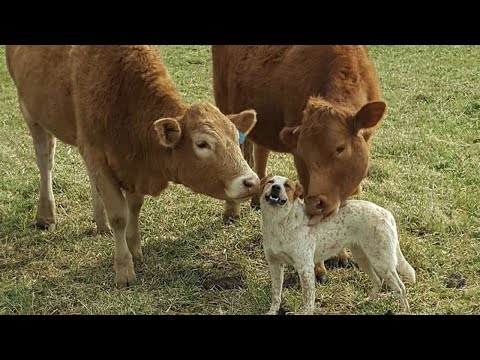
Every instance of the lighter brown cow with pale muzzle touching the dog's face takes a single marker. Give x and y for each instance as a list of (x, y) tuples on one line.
[(120, 107)]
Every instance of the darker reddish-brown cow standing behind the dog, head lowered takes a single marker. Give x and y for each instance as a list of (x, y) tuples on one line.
[(320, 103)]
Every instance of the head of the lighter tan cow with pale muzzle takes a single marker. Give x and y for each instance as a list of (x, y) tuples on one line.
[(206, 153)]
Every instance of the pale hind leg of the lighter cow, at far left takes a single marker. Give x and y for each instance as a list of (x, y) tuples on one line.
[(44, 144)]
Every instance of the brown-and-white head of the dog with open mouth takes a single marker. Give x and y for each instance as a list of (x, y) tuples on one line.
[(280, 191)]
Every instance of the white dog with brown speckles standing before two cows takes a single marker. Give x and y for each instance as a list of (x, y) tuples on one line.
[(367, 229)]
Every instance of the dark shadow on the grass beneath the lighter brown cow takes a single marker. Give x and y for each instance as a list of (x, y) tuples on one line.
[(185, 261)]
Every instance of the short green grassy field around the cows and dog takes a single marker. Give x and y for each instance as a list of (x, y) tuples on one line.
[(425, 168)]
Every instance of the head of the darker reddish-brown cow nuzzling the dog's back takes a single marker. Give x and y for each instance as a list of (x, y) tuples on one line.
[(330, 143)]
